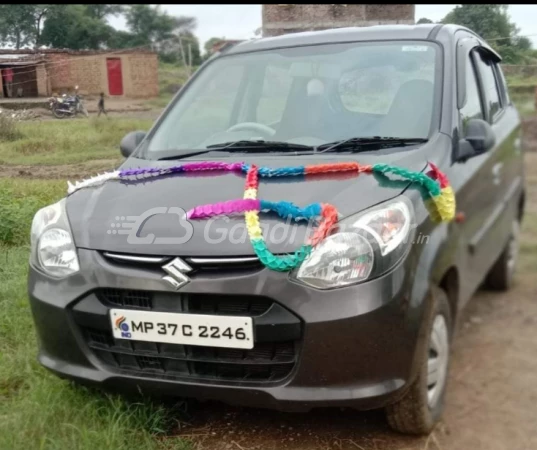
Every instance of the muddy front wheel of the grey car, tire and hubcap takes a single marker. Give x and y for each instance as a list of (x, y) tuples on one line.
[(414, 413)]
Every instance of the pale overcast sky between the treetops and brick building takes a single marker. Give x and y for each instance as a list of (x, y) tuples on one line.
[(241, 21)]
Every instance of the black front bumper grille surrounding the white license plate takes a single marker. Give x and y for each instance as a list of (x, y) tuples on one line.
[(272, 358)]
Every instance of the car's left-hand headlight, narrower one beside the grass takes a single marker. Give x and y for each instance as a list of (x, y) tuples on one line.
[(52, 246)]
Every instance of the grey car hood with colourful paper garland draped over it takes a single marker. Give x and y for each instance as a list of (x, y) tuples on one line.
[(146, 216)]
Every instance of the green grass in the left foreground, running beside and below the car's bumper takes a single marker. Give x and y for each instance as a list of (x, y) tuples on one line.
[(37, 409)]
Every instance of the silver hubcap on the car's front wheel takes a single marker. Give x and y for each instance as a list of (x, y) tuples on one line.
[(438, 360)]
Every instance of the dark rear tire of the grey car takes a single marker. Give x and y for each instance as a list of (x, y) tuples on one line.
[(500, 276)]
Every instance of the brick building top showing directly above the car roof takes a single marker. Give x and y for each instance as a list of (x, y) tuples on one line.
[(282, 19)]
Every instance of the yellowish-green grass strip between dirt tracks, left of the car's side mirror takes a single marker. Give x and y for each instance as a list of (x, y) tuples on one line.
[(68, 141)]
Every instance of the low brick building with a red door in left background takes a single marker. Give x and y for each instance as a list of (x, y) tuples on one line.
[(39, 73)]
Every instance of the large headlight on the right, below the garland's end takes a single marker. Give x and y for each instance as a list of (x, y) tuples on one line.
[(365, 246)]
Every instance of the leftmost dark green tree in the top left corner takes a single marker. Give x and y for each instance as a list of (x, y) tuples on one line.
[(20, 25)]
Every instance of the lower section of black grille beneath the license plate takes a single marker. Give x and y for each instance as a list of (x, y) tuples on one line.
[(265, 362)]
